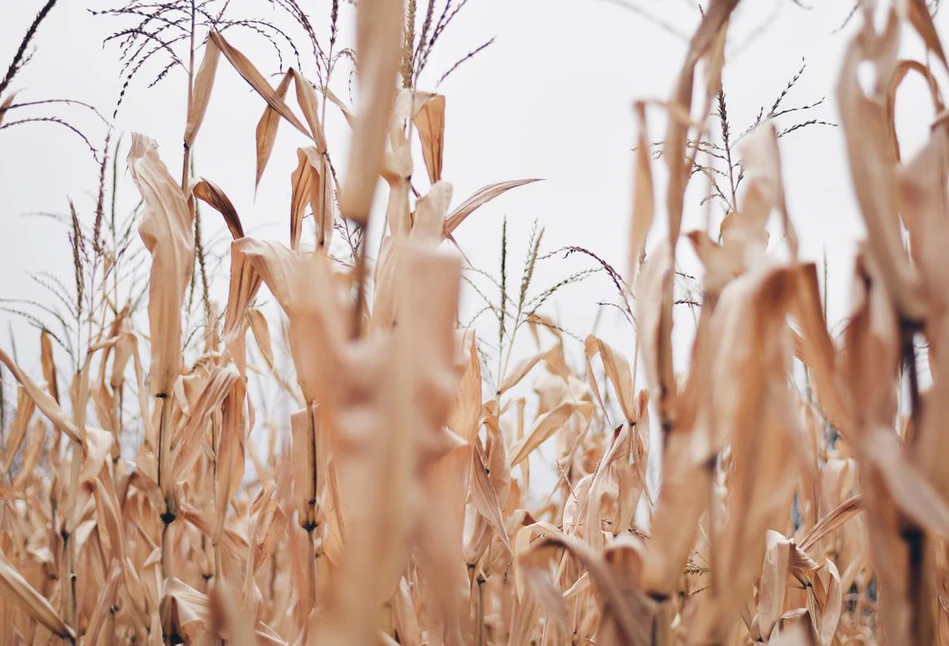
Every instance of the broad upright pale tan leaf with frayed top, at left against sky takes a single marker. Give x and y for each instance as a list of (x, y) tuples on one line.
[(167, 232)]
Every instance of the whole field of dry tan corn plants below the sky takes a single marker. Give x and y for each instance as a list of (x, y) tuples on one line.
[(395, 506)]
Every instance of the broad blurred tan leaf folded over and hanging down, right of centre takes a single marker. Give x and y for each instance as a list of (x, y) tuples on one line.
[(753, 405)]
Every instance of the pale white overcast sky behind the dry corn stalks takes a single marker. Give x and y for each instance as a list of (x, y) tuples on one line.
[(550, 99)]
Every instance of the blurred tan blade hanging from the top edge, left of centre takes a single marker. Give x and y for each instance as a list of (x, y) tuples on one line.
[(378, 45)]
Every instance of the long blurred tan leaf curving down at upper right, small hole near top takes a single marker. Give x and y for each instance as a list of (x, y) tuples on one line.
[(872, 164)]
